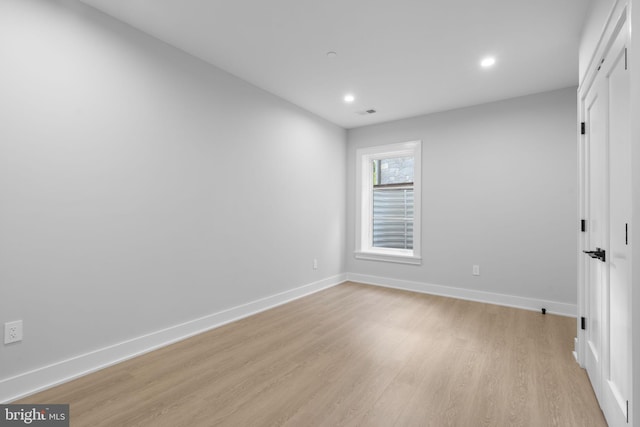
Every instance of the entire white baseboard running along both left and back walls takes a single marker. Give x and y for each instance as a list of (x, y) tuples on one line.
[(45, 377)]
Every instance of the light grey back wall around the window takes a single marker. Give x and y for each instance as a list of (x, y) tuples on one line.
[(499, 190)]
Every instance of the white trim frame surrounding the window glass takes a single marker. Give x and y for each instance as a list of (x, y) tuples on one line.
[(364, 203)]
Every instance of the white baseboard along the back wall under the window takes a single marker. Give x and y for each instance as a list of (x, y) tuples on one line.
[(553, 307)]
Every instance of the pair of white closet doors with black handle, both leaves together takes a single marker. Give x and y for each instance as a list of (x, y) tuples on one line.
[(607, 205)]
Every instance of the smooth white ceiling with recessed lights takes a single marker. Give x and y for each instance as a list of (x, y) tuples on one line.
[(402, 58)]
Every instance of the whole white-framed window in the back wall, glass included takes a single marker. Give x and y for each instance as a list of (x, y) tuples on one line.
[(388, 208)]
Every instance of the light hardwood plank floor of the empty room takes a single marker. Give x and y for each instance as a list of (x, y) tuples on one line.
[(351, 355)]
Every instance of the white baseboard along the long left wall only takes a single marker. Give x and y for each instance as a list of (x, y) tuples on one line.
[(45, 377)]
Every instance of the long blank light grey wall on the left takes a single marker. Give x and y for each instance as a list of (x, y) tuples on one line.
[(141, 188)]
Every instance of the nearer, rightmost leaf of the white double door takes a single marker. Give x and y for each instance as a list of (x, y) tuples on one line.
[(616, 370)]
